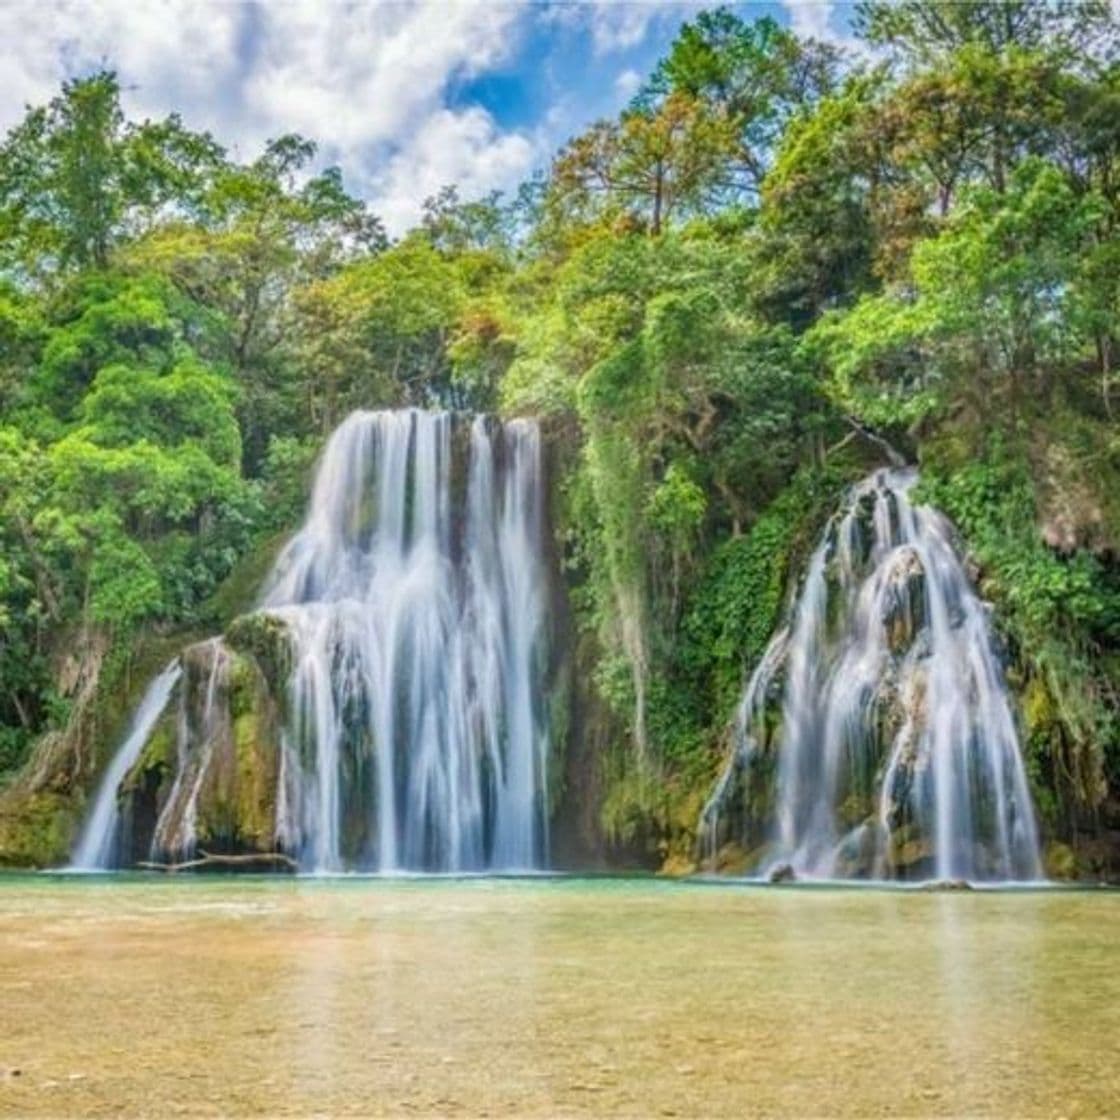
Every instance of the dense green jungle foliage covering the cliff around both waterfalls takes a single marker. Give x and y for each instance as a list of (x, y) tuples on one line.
[(778, 264)]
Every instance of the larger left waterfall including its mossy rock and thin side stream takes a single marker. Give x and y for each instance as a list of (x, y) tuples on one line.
[(404, 725)]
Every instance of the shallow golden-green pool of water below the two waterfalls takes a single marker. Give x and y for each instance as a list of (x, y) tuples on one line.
[(291, 997)]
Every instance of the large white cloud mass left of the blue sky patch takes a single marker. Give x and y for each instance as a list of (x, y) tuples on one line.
[(369, 82)]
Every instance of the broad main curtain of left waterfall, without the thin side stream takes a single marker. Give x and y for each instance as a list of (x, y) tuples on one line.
[(416, 609)]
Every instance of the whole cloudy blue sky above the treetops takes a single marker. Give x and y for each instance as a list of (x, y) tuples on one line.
[(404, 97)]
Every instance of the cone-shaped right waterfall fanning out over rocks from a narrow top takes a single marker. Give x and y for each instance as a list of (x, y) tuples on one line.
[(875, 738)]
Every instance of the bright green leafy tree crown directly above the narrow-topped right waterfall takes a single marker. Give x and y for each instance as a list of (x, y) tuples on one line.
[(994, 313)]
